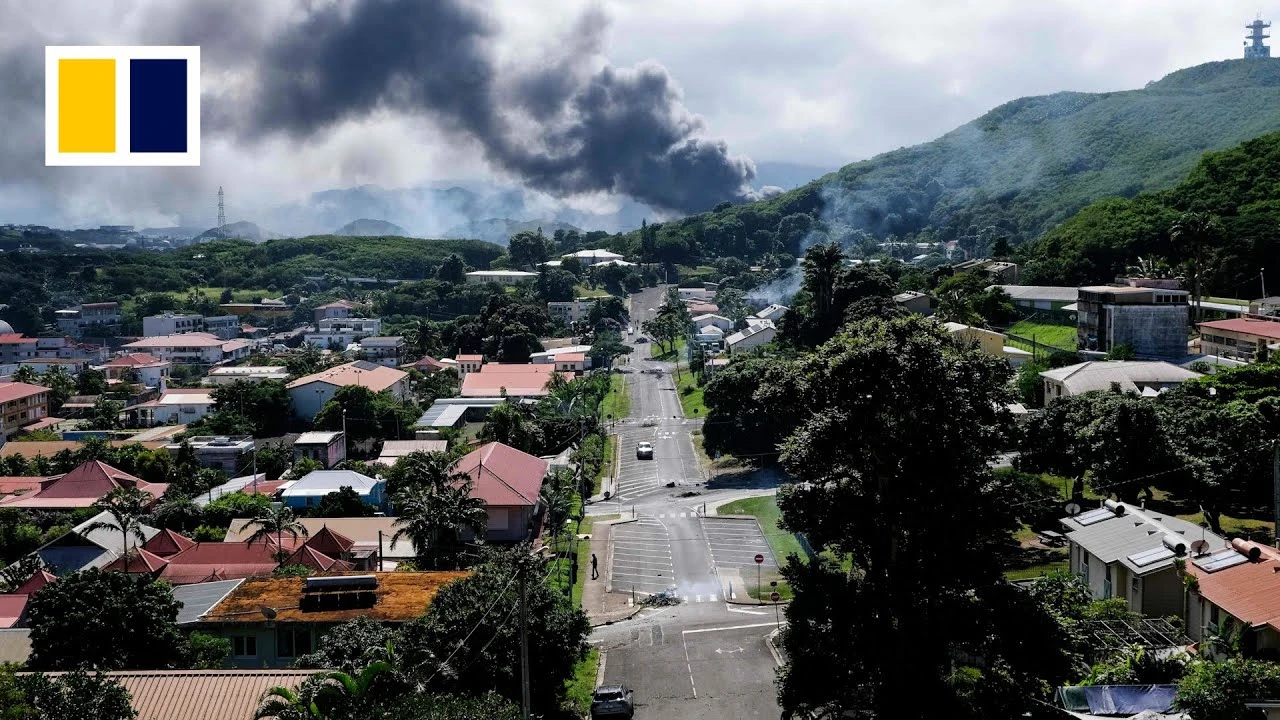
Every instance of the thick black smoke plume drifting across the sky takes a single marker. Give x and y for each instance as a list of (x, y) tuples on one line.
[(568, 125)]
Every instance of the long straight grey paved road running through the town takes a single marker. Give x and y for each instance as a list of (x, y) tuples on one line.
[(702, 658)]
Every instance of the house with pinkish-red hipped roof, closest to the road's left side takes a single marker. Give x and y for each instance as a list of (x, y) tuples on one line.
[(509, 482)]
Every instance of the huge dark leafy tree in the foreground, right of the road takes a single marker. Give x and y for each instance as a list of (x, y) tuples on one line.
[(893, 461)]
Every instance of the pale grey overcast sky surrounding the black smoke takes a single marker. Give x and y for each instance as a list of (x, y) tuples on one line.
[(821, 83)]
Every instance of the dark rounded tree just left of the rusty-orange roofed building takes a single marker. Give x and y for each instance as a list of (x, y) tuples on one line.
[(106, 621)]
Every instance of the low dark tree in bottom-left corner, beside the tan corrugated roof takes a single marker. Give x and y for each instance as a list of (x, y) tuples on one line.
[(77, 696)]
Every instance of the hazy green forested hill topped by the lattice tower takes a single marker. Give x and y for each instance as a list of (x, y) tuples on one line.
[(1018, 171)]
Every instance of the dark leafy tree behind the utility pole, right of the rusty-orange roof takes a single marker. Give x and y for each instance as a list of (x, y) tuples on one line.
[(469, 650)]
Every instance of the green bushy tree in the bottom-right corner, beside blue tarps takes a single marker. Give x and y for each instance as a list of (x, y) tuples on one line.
[(1218, 691)]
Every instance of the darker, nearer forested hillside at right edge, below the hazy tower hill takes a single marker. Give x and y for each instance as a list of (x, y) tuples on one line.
[(1241, 186)]
